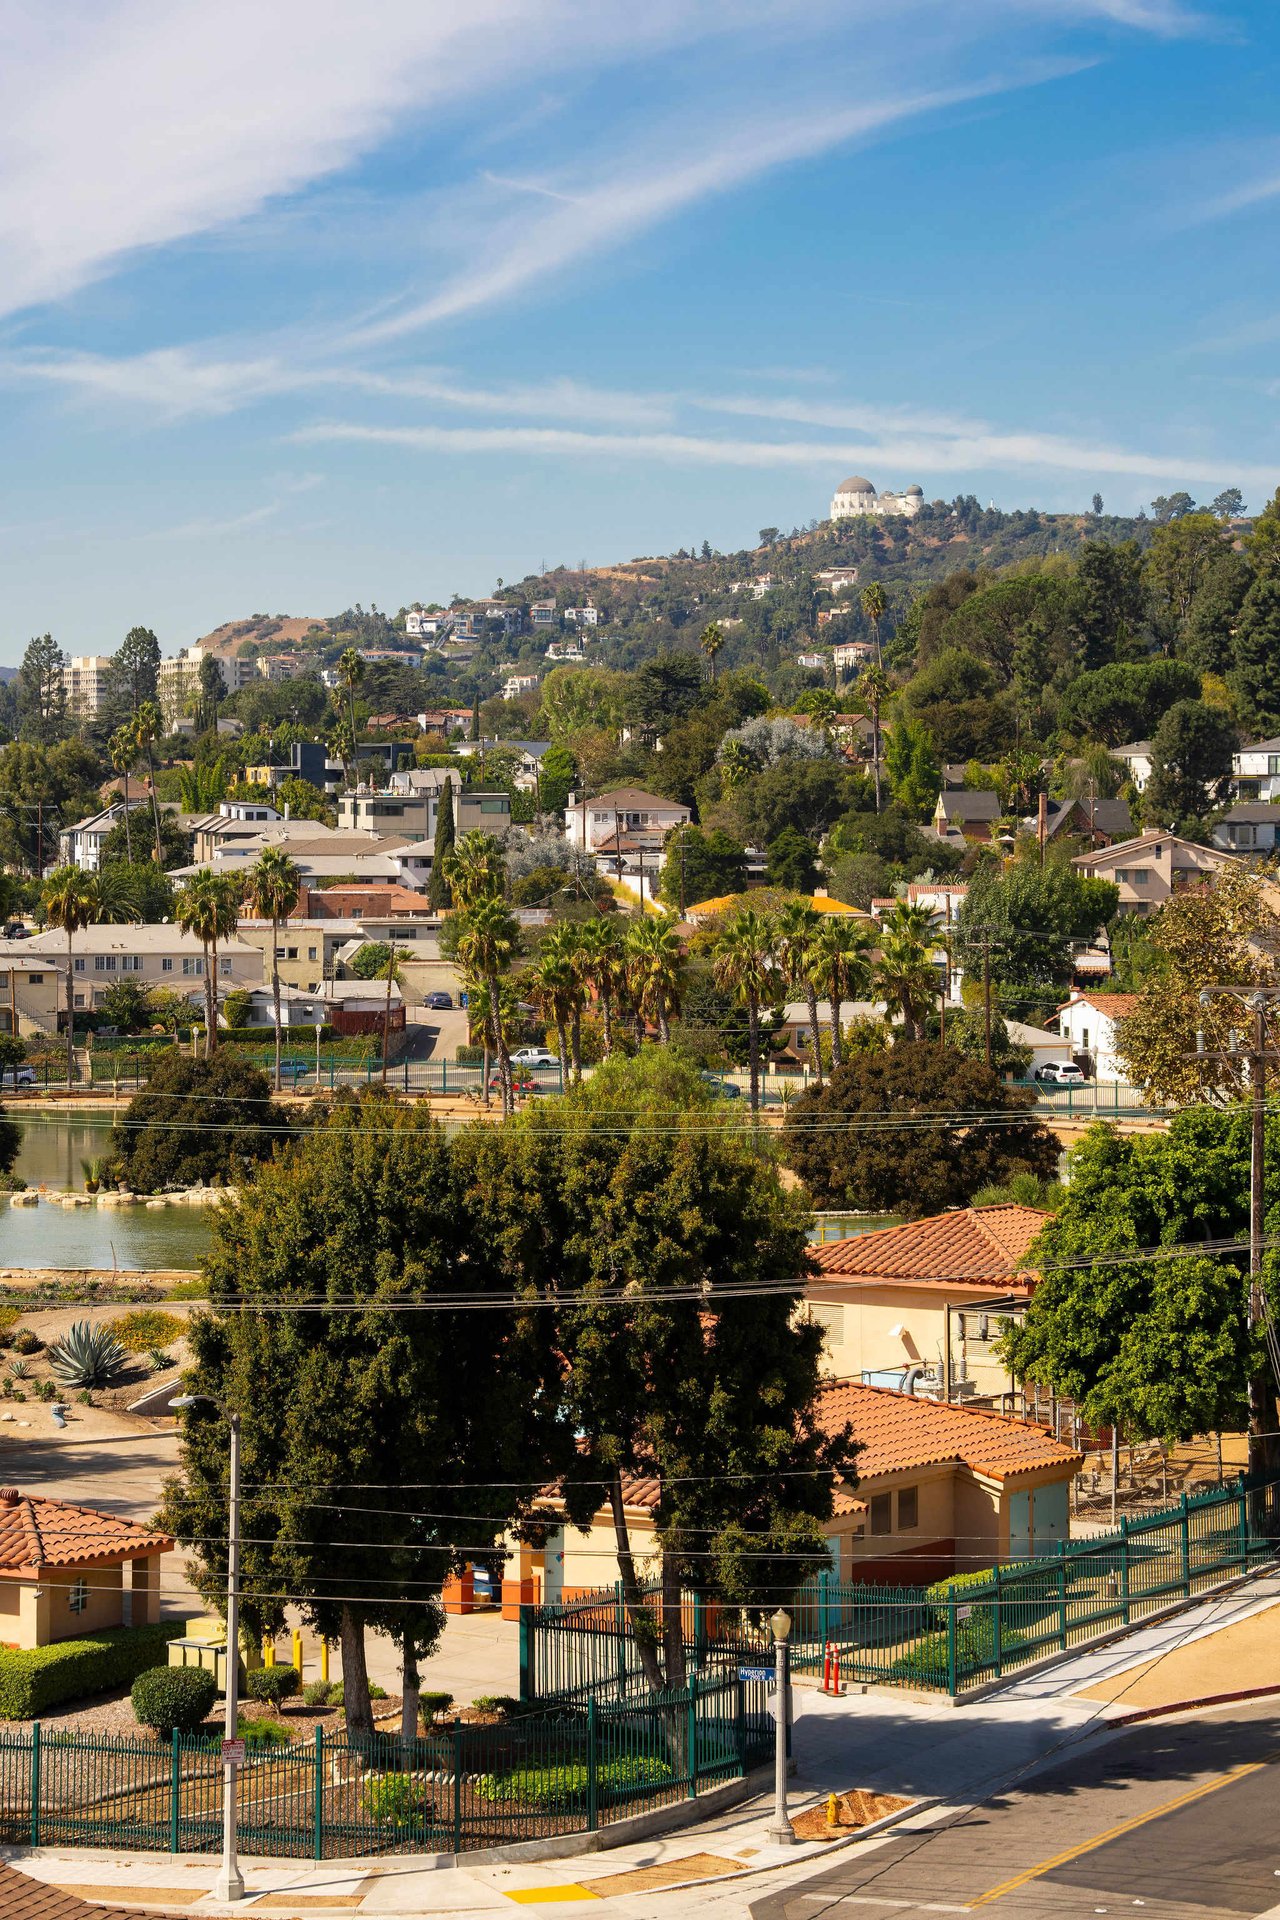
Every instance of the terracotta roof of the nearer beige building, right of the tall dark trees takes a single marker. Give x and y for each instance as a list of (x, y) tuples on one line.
[(899, 1433)]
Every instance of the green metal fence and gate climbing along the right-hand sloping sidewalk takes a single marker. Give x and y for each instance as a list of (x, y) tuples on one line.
[(947, 1639)]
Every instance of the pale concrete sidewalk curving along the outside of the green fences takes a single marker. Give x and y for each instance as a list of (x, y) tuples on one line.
[(924, 1750)]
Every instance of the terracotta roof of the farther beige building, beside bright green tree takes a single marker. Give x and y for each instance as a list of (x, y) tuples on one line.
[(976, 1245)]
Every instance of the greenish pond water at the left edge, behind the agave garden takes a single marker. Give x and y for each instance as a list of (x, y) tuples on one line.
[(131, 1239)]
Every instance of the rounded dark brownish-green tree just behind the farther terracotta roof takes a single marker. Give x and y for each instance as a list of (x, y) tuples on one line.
[(911, 1132)]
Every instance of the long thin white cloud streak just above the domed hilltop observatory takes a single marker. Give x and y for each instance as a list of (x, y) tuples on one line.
[(909, 454)]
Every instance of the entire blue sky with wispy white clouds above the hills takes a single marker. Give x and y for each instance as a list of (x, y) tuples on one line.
[(316, 304)]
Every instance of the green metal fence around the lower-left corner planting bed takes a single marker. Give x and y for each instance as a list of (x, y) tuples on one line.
[(573, 1769)]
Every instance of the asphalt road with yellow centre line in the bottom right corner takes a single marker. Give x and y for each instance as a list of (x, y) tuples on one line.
[(1170, 1821)]
